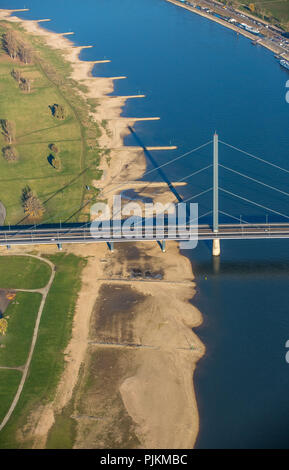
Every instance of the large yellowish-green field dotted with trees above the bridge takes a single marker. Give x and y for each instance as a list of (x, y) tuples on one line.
[(62, 191)]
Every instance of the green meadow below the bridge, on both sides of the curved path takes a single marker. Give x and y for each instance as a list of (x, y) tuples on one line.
[(54, 333)]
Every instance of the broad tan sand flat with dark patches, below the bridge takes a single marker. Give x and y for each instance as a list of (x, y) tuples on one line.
[(156, 387)]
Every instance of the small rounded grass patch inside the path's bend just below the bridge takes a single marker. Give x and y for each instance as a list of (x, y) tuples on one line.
[(23, 272)]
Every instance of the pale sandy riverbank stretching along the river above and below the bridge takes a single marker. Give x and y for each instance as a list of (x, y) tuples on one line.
[(137, 389)]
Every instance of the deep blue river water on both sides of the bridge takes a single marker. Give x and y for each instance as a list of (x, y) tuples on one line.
[(200, 77)]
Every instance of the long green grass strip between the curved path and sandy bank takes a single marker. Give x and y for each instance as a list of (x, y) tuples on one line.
[(48, 359)]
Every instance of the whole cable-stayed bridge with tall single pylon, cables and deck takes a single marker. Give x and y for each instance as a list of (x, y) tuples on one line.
[(238, 229)]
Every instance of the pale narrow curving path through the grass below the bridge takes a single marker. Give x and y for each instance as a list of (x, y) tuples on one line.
[(44, 293)]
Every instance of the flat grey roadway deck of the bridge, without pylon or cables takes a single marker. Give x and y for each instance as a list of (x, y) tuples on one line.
[(81, 234)]
